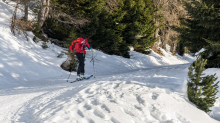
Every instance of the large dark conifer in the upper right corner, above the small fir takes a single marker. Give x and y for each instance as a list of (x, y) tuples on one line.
[(202, 30)]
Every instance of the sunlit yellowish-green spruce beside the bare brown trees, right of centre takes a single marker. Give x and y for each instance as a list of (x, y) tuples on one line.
[(139, 20)]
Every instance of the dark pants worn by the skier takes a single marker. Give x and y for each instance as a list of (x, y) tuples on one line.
[(81, 58)]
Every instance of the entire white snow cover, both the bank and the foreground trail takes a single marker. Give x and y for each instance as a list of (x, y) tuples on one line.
[(143, 89)]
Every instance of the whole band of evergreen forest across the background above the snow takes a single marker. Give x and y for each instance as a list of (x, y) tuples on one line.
[(113, 25)]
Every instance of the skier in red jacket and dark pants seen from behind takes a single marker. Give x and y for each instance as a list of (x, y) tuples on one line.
[(79, 46)]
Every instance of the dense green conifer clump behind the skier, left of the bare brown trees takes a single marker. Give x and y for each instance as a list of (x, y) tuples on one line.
[(111, 25)]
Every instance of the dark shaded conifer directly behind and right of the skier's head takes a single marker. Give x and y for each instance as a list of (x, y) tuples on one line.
[(105, 33)]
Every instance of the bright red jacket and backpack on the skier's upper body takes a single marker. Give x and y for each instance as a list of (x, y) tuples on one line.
[(79, 45)]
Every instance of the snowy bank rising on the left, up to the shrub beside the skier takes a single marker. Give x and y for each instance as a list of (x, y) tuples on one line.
[(21, 60)]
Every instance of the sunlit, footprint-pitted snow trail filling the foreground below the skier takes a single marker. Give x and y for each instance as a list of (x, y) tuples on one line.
[(148, 96)]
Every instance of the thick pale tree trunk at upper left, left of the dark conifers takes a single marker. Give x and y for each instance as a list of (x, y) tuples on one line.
[(44, 11)]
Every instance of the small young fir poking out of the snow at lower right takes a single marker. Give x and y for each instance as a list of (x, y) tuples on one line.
[(201, 90)]
